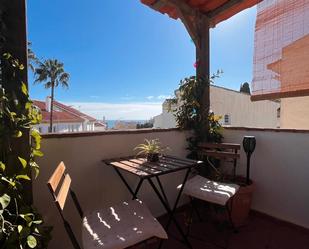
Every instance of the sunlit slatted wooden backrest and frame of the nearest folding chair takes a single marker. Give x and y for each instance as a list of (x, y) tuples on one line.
[(60, 197)]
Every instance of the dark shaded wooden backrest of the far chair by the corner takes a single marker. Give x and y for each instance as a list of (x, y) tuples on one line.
[(222, 151)]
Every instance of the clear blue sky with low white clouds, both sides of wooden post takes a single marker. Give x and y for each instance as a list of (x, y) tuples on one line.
[(124, 58)]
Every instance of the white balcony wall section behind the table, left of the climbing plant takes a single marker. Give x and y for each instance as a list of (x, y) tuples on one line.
[(96, 184)]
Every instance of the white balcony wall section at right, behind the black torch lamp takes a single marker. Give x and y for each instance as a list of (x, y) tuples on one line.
[(280, 169)]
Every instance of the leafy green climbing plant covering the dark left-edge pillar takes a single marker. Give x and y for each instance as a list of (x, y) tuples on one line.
[(21, 226)]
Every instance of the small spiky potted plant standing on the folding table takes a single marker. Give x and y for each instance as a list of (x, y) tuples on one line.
[(151, 149)]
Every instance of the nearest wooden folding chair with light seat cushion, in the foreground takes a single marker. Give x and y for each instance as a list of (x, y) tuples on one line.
[(116, 227)]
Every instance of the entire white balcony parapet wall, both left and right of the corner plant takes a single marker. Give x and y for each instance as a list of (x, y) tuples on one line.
[(280, 170)]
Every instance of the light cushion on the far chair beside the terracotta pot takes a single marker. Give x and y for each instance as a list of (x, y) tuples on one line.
[(215, 192)]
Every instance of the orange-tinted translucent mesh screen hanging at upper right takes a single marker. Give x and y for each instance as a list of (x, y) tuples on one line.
[(281, 60)]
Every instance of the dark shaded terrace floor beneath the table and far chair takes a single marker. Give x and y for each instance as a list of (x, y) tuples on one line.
[(260, 232)]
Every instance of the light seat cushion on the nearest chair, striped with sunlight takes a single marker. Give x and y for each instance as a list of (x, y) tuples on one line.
[(120, 226)]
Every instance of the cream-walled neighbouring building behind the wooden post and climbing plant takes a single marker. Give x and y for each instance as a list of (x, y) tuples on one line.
[(236, 109)]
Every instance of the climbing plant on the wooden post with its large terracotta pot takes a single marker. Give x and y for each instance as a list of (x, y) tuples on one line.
[(190, 116)]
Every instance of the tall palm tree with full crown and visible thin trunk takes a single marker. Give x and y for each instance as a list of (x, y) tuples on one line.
[(52, 74)]
